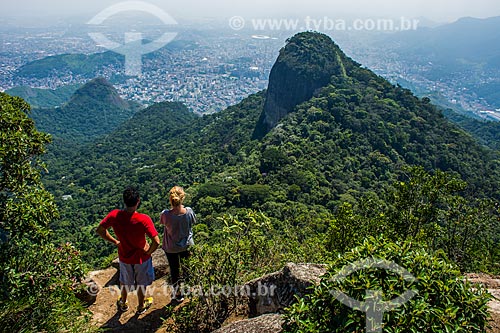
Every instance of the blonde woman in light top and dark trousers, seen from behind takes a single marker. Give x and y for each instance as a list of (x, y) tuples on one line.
[(178, 236)]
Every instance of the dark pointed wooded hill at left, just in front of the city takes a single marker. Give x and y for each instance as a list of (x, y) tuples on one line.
[(93, 110)]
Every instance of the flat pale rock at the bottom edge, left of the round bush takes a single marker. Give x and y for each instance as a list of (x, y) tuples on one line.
[(270, 323)]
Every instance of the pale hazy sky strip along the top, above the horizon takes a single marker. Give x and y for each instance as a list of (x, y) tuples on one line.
[(437, 10)]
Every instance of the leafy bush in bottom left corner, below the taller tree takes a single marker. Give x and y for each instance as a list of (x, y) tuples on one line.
[(38, 283)]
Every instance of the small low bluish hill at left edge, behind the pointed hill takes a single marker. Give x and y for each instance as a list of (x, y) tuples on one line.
[(44, 98)]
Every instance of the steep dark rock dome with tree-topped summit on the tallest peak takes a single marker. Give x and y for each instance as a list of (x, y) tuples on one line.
[(304, 65)]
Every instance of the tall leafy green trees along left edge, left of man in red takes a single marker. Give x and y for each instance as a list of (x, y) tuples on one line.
[(37, 278)]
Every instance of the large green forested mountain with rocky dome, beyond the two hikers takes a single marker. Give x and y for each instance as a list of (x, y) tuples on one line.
[(351, 142)]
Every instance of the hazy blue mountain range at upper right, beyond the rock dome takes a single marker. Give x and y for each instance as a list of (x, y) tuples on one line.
[(466, 53)]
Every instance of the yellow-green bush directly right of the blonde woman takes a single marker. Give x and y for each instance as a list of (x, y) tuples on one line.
[(239, 251)]
